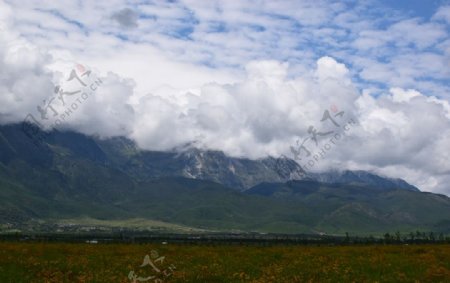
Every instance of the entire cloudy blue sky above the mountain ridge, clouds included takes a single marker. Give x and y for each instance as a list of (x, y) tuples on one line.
[(360, 85)]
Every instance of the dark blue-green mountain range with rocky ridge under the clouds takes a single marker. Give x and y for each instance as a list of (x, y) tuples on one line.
[(67, 177)]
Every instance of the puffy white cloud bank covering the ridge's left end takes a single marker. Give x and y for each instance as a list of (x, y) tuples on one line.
[(32, 85)]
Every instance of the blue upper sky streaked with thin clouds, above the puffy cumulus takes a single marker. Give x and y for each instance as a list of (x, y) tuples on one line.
[(375, 38)]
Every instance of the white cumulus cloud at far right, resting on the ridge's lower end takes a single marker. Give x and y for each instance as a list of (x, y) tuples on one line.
[(406, 132)]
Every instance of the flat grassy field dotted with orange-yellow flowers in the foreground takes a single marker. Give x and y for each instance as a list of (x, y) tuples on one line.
[(54, 262)]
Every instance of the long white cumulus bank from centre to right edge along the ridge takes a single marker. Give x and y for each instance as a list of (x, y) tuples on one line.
[(258, 117)]
